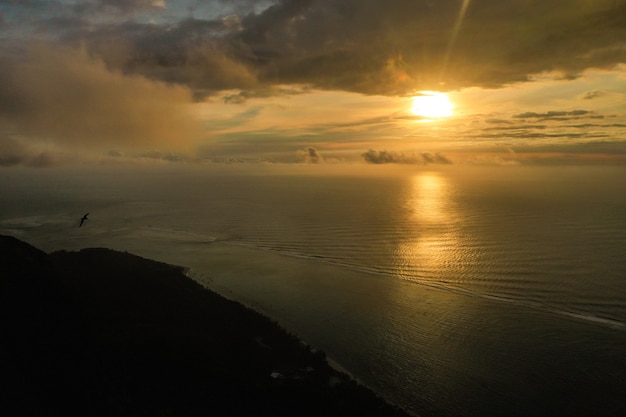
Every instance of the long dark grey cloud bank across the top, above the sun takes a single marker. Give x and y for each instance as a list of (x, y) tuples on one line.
[(368, 46)]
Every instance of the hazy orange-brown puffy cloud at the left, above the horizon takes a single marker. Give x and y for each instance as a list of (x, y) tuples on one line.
[(64, 96)]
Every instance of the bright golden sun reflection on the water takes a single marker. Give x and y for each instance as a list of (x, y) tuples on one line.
[(432, 239)]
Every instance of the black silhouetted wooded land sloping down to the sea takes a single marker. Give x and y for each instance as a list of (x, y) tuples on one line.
[(132, 334)]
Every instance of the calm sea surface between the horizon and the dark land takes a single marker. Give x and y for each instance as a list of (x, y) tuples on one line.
[(463, 291)]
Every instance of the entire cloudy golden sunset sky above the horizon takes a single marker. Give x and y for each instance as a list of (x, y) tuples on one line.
[(313, 81)]
